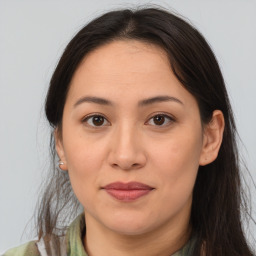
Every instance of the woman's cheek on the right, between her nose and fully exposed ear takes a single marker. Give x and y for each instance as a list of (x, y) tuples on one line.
[(177, 162)]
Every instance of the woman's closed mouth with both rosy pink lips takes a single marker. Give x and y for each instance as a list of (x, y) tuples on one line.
[(127, 191)]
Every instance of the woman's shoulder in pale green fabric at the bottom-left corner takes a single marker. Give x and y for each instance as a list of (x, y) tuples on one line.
[(27, 249)]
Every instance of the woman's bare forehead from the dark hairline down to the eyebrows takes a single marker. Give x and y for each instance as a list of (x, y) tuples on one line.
[(123, 69)]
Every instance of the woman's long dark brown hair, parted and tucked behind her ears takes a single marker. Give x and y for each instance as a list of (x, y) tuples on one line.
[(217, 198)]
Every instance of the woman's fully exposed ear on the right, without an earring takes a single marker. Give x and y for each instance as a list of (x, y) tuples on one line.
[(212, 138)]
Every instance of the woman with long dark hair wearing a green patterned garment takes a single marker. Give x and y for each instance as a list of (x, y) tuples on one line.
[(146, 142)]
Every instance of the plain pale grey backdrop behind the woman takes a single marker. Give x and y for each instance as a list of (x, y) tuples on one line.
[(33, 35)]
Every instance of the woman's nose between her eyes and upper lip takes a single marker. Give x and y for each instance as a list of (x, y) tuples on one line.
[(127, 149)]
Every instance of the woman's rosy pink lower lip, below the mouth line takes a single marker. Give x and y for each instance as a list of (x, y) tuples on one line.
[(127, 195)]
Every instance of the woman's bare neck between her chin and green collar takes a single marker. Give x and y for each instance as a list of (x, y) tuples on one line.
[(162, 242)]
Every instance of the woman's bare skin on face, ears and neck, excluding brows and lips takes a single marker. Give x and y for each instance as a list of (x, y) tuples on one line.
[(129, 145)]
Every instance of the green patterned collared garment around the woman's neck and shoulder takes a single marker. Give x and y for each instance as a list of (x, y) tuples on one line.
[(72, 244)]
